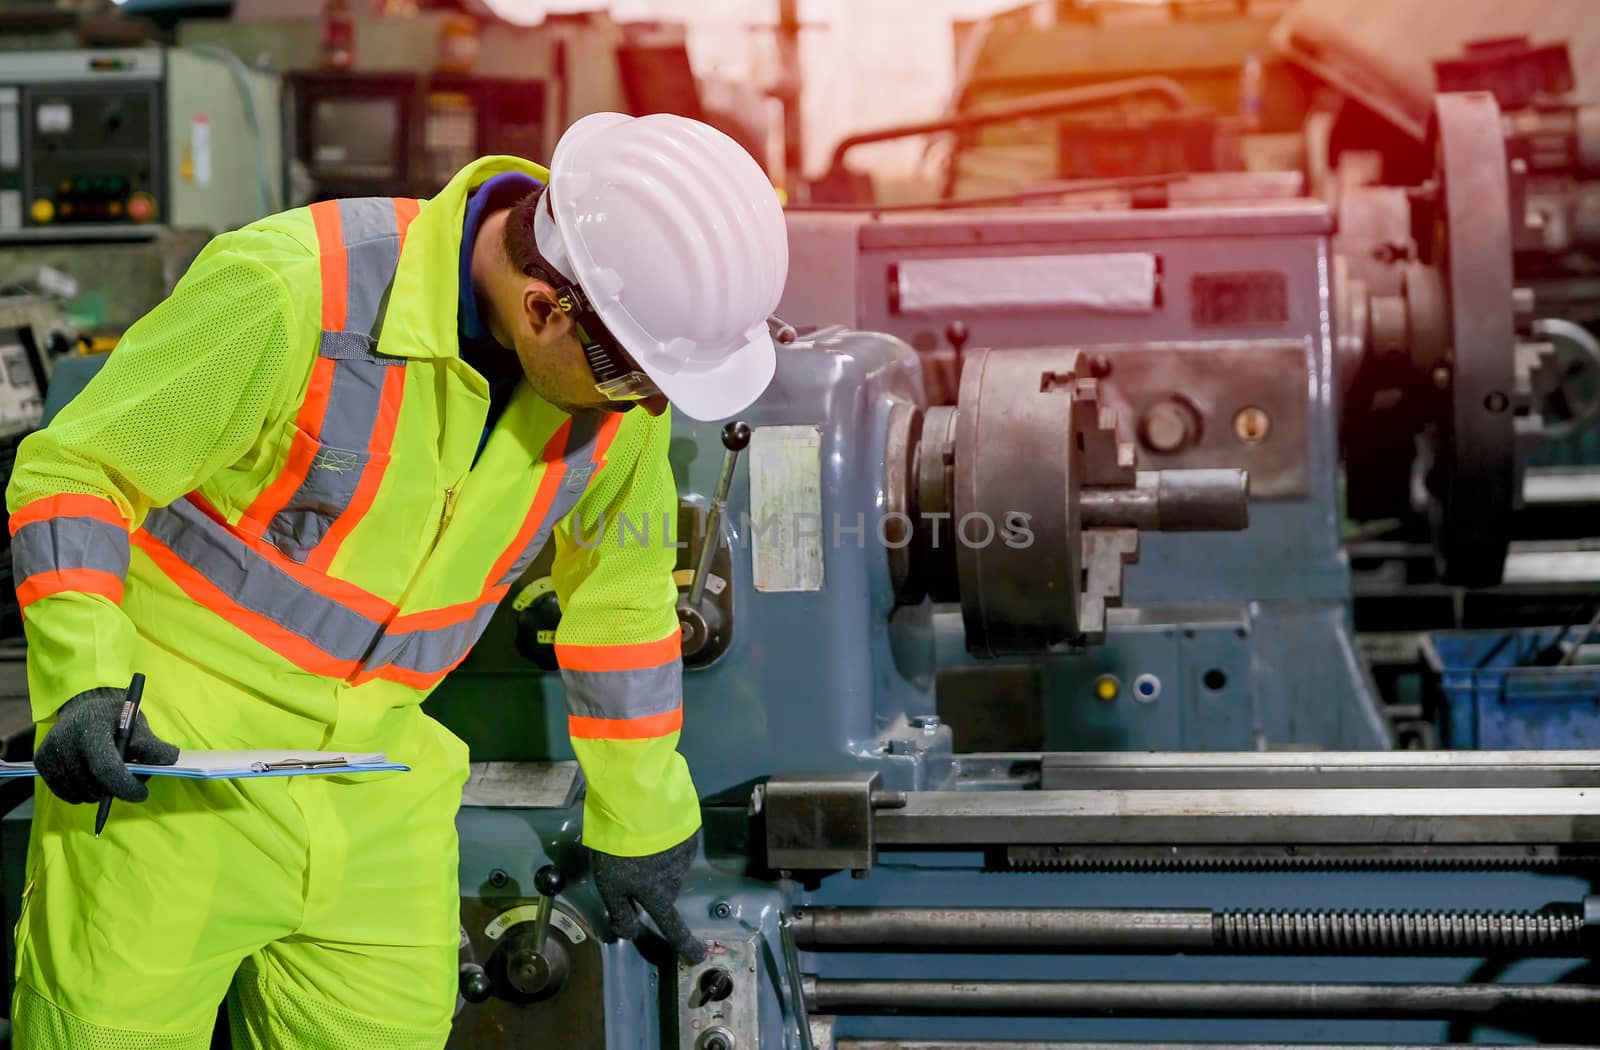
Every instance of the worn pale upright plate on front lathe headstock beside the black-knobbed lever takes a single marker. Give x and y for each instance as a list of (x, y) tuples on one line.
[(786, 508)]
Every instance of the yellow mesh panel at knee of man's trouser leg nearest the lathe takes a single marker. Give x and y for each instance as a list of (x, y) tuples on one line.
[(268, 1017)]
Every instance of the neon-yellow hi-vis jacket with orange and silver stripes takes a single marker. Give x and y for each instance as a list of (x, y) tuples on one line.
[(274, 476)]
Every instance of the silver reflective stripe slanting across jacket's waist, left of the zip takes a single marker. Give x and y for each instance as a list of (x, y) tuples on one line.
[(258, 585)]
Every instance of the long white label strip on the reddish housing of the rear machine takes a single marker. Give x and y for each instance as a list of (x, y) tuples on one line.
[(1122, 283)]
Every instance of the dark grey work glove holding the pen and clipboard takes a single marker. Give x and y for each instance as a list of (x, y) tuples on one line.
[(79, 759)]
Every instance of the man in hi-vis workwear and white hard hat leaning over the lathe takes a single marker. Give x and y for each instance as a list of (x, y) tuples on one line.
[(292, 500)]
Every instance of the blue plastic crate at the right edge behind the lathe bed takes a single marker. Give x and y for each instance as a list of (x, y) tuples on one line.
[(1490, 700)]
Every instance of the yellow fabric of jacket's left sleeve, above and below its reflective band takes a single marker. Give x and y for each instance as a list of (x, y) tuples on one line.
[(183, 396)]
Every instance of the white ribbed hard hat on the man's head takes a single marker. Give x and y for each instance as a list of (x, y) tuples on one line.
[(678, 239)]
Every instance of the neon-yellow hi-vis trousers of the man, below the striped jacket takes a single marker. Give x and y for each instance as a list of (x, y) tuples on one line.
[(330, 905)]
